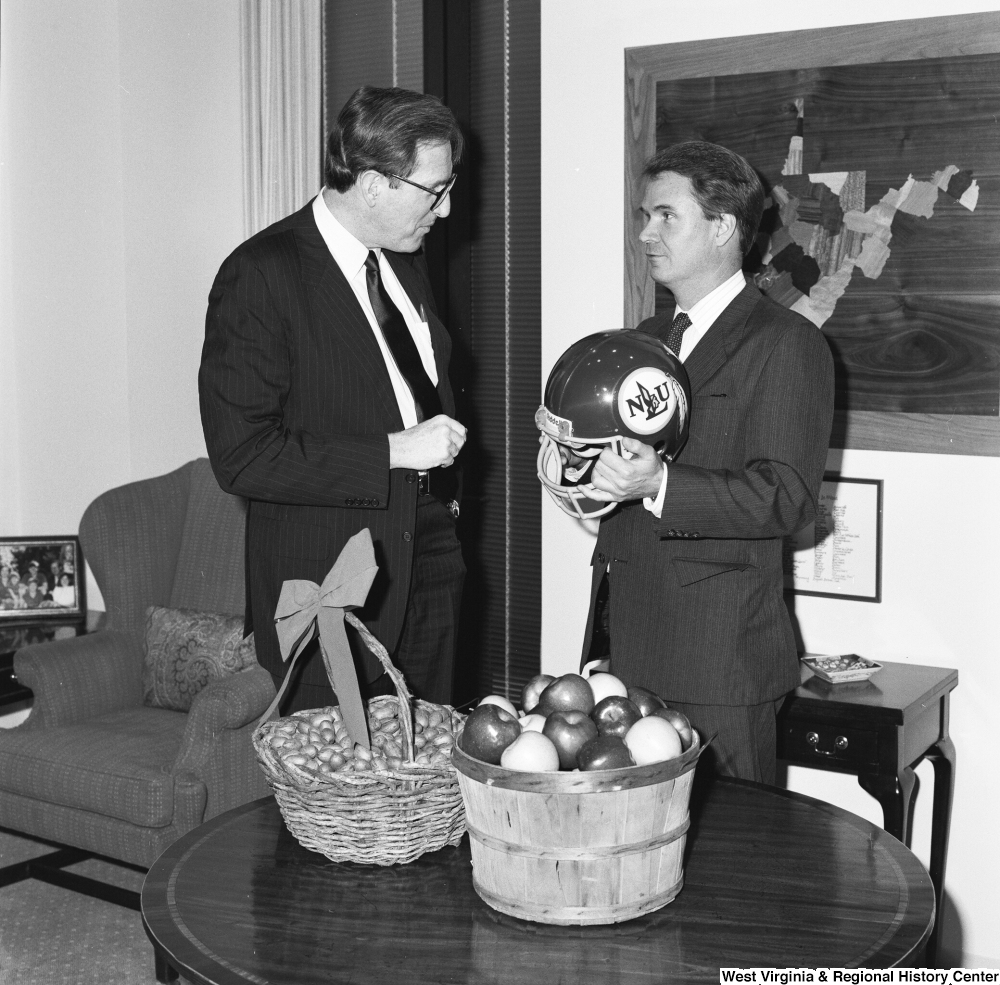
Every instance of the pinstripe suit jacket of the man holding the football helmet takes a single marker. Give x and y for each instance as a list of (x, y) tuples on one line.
[(696, 610)]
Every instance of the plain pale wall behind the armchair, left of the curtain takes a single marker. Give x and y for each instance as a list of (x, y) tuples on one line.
[(120, 195)]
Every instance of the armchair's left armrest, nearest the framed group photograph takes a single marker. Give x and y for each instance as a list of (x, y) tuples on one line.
[(78, 678)]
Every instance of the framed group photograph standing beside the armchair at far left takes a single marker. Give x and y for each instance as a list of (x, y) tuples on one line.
[(41, 580)]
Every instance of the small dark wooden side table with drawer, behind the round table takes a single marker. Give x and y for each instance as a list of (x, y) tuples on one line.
[(880, 730)]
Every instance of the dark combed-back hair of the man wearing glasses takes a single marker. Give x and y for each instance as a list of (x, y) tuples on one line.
[(381, 129)]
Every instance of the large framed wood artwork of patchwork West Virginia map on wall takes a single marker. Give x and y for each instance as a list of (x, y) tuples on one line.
[(878, 148)]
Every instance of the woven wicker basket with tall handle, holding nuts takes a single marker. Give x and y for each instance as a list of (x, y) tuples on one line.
[(372, 817)]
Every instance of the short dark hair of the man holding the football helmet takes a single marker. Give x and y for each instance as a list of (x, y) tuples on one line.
[(722, 182)]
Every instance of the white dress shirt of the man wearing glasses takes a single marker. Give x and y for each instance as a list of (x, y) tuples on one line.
[(350, 255)]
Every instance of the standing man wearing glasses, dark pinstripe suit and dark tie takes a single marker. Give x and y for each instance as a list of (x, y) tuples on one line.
[(325, 397)]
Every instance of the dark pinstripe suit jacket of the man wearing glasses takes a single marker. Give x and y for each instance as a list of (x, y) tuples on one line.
[(296, 403)]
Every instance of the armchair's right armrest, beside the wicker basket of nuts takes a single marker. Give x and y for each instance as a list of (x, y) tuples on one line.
[(231, 703)]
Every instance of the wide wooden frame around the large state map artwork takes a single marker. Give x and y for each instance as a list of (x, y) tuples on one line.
[(938, 37)]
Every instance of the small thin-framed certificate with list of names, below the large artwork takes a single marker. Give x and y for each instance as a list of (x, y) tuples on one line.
[(839, 555)]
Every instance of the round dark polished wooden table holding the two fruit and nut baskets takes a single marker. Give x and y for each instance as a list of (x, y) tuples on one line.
[(772, 879)]
